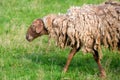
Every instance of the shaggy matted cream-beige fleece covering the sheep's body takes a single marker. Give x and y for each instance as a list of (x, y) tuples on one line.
[(87, 27)]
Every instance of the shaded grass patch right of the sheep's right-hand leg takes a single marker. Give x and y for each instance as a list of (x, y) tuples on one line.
[(111, 62)]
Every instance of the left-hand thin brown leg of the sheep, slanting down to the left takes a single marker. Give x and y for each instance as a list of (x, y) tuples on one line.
[(71, 54)]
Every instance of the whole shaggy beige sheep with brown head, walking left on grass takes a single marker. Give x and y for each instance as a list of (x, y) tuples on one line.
[(86, 28)]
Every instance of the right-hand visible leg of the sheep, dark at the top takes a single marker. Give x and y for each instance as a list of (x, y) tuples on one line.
[(97, 59)]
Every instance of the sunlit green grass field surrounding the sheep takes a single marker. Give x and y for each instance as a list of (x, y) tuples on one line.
[(21, 60)]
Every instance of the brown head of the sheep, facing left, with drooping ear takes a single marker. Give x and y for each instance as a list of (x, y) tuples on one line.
[(36, 29)]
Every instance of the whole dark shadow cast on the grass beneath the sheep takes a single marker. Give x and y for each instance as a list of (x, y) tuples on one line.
[(80, 63)]
